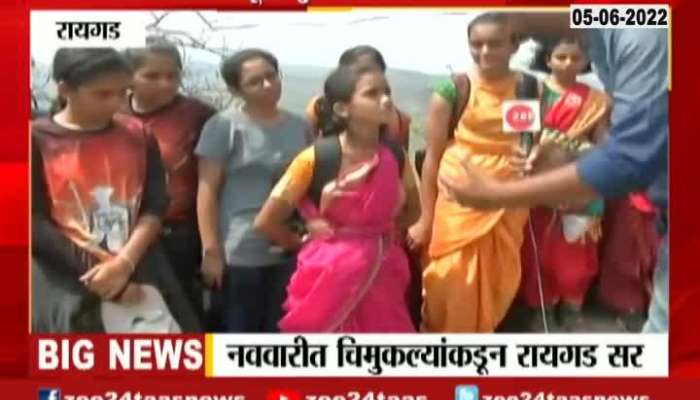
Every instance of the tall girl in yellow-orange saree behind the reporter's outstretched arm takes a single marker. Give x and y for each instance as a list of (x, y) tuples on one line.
[(473, 272)]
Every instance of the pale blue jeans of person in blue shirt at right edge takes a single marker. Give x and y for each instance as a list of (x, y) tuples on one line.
[(657, 320)]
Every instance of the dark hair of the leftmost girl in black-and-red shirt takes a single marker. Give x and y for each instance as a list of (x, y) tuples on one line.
[(78, 66)]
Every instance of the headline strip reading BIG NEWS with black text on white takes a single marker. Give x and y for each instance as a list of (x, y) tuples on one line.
[(335, 355)]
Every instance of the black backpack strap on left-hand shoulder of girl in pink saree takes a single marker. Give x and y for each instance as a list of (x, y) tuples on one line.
[(327, 158)]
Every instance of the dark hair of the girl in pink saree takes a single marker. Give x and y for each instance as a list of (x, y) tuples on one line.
[(339, 88)]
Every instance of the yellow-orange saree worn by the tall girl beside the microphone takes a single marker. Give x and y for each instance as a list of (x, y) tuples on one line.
[(474, 271)]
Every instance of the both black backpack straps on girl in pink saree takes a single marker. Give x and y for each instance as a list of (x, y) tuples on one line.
[(328, 157)]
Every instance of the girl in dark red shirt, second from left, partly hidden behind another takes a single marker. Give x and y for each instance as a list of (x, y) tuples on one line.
[(175, 122)]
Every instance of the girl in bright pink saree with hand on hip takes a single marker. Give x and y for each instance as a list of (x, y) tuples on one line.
[(352, 274)]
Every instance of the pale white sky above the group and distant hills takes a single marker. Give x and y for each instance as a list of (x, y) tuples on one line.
[(420, 40)]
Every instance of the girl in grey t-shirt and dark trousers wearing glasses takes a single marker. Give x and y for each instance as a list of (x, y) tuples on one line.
[(241, 154)]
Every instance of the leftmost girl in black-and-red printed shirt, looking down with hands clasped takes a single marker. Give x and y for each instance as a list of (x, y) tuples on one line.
[(98, 196)]
